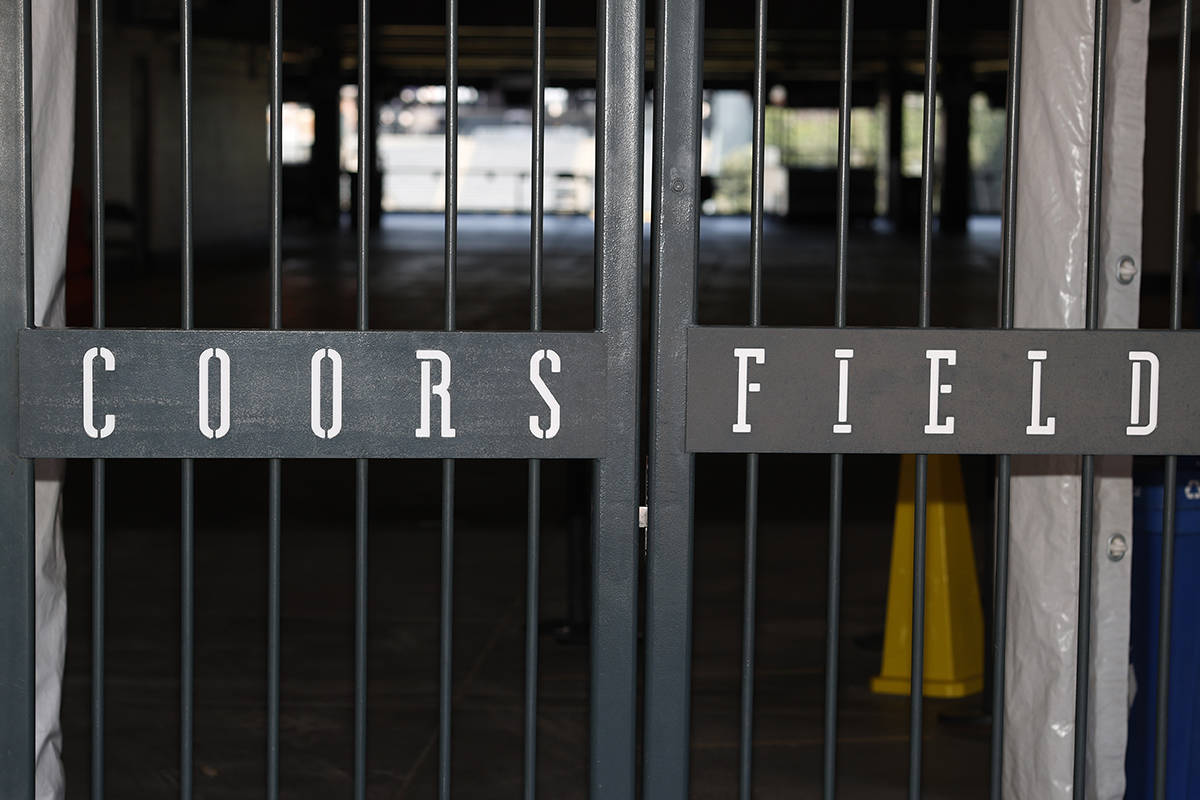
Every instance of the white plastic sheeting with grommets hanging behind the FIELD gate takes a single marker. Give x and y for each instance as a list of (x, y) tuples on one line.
[(1052, 258)]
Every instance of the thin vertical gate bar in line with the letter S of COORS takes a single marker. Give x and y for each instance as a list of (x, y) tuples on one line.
[(533, 513)]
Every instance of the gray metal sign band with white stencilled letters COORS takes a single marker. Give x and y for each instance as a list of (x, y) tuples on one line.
[(139, 394)]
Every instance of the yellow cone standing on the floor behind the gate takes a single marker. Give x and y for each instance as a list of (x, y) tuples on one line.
[(953, 615)]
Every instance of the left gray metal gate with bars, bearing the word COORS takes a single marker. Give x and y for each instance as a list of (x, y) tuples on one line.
[(193, 394)]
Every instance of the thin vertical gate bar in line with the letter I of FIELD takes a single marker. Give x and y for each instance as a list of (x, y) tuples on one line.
[(833, 603)]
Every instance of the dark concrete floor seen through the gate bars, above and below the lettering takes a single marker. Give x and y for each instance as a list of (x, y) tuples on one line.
[(317, 636)]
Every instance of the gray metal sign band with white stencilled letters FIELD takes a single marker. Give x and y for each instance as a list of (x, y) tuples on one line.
[(967, 392)]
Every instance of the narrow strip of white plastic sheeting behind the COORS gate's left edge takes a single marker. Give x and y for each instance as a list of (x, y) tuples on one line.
[(53, 134)]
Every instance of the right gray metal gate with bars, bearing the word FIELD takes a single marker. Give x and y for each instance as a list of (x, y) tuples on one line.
[(752, 390)]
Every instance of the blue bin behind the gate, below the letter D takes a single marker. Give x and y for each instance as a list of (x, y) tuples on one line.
[(1184, 719)]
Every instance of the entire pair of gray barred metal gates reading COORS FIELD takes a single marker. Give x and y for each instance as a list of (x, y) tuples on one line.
[(273, 394)]
